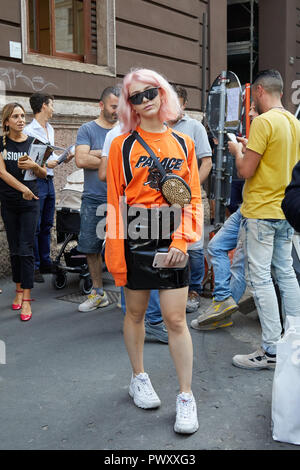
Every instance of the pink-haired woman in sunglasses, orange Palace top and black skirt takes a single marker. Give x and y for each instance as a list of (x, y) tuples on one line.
[(147, 101)]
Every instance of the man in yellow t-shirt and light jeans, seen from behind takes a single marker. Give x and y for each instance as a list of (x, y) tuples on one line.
[(272, 151)]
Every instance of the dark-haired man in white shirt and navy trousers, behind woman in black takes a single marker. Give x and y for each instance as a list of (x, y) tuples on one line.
[(43, 108)]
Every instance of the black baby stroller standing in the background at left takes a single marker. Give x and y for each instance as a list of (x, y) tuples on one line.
[(67, 230)]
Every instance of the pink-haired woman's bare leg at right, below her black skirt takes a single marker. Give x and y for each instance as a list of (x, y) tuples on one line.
[(173, 306)]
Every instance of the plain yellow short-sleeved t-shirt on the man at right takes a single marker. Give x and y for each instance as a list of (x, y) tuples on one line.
[(275, 135)]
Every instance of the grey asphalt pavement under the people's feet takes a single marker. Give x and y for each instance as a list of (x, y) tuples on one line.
[(65, 382)]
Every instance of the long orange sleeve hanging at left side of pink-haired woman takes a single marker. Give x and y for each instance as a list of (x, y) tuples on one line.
[(114, 242)]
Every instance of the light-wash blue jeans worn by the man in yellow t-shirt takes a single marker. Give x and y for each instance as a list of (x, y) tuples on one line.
[(268, 244)]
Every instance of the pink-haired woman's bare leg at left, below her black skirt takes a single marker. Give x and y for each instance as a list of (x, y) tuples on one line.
[(134, 329)]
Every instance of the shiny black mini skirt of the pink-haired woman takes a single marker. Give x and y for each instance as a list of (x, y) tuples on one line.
[(148, 232)]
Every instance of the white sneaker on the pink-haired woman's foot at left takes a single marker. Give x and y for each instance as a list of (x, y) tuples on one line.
[(142, 392)]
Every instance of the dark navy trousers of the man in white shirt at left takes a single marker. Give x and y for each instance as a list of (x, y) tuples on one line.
[(45, 223)]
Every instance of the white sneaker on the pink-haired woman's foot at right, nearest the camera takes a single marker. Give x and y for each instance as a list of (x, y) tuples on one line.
[(186, 414)]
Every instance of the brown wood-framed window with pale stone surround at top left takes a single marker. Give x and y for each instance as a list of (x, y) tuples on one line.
[(70, 34)]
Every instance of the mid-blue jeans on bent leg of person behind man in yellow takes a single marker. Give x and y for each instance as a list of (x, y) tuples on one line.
[(229, 279)]
